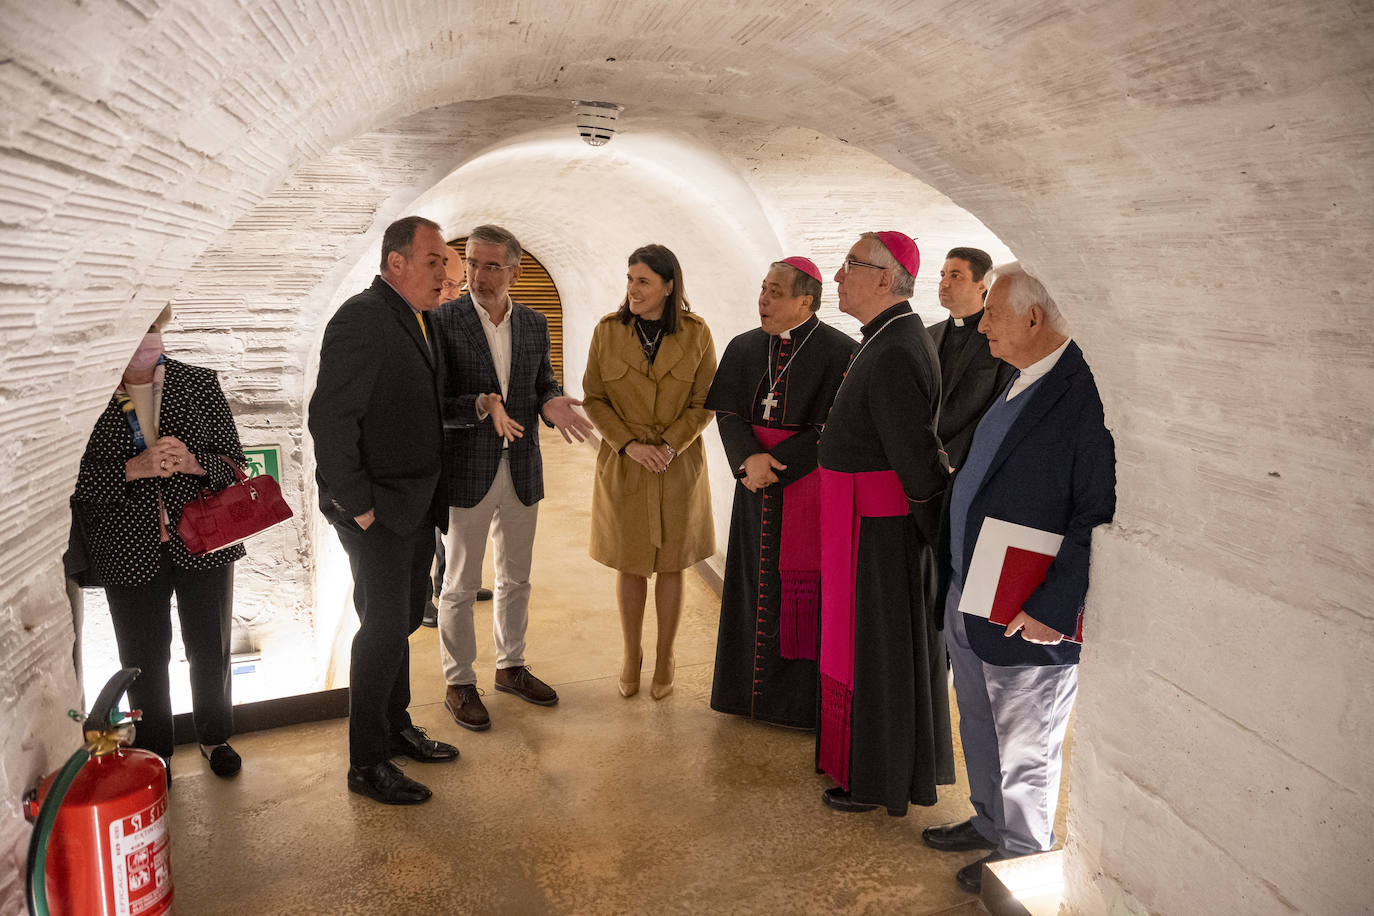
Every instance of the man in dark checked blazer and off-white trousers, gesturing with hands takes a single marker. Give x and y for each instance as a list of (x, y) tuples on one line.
[(499, 387)]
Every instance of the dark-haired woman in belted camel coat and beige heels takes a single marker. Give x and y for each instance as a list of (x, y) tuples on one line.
[(648, 376)]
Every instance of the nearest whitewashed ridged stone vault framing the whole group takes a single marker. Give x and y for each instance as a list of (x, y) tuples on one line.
[(1192, 181)]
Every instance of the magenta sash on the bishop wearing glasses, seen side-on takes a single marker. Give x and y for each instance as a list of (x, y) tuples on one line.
[(846, 499)]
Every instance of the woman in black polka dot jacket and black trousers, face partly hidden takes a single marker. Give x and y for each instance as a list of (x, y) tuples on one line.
[(161, 440)]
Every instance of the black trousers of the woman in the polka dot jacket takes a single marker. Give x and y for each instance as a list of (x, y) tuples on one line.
[(142, 619)]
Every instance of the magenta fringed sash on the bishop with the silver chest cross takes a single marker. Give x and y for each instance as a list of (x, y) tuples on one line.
[(799, 560)]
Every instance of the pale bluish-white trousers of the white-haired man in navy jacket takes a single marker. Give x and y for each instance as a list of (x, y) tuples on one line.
[(1012, 724)]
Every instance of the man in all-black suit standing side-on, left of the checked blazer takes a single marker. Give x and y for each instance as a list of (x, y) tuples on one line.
[(379, 453)]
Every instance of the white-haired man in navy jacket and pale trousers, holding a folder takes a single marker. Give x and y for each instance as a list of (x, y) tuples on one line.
[(1041, 458)]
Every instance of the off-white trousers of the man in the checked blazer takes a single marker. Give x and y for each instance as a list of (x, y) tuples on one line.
[(510, 525)]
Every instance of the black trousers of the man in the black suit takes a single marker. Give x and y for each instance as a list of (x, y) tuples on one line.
[(391, 588)]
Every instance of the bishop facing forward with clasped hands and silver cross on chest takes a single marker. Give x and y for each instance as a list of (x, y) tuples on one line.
[(772, 396)]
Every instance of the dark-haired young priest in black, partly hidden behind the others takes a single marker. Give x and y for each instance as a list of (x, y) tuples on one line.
[(971, 377)]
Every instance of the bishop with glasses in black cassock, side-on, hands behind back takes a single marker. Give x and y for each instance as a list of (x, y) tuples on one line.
[(884, 734)]
